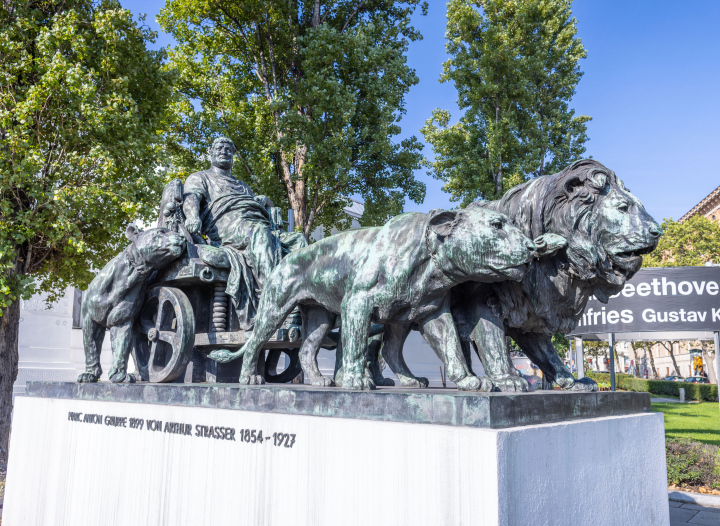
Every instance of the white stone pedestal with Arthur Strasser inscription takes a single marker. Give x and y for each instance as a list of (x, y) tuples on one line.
[(338, 472)]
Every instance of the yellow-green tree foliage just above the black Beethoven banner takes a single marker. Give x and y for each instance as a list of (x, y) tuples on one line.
[(691, 243)]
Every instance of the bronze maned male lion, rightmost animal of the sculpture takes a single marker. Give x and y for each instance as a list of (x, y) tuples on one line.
[(607, 231)]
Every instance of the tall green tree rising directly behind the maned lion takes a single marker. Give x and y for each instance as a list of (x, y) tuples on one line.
[(515, 66)]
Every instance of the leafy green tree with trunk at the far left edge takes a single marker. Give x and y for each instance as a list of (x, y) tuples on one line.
[(82, 107)]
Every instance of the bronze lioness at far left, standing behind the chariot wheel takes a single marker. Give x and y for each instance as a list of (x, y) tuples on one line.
[(114, 298)]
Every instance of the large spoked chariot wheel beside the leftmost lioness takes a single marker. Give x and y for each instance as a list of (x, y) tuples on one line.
[(164, 335)]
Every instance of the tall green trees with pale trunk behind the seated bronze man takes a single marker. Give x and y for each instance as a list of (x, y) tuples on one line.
[(311, 93)]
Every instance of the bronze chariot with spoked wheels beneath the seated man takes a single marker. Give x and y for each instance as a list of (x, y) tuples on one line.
[(186, 314)]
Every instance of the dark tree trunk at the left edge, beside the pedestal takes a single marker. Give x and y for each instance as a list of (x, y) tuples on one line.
[(9, 328)]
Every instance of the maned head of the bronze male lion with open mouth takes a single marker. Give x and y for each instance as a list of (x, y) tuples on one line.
[(607, 227)]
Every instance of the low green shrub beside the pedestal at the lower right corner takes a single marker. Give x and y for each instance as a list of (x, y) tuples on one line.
[(692, 463)]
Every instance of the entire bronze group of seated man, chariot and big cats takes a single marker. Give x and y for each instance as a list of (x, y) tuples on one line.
[(220, 280)]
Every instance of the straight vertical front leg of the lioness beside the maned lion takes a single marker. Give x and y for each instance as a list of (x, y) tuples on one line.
[(355, 330)]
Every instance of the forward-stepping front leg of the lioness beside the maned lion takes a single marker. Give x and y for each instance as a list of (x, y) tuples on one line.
[(439, 331)]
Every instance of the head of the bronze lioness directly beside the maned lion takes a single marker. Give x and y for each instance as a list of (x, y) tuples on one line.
[(480, 245)]
